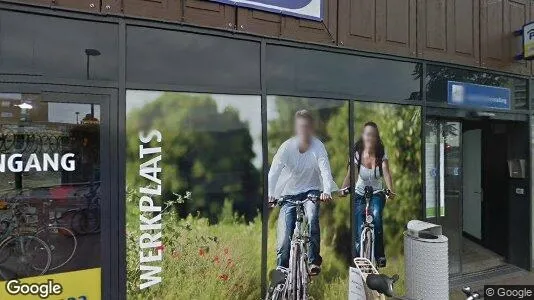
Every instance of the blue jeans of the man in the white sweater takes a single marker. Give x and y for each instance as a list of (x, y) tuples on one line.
[(286, 226)]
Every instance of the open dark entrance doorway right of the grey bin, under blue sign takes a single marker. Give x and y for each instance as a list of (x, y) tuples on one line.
[(469, 190)]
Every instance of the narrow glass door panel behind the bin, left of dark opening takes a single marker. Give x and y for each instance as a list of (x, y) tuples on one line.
[(443, 176)]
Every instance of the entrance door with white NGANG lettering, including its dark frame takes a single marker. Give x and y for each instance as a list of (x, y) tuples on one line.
[(54, 170)]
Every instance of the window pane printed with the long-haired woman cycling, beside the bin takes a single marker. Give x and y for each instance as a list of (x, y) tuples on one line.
[(387, 157)]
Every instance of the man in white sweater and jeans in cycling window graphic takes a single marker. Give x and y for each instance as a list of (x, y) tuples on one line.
[(300, 167)]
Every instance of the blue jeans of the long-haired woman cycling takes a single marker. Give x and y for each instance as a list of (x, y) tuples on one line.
[(376, 206)]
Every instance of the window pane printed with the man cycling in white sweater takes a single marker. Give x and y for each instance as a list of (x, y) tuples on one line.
[(321, 168)]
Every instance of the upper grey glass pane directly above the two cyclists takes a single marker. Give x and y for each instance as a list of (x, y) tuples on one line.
[(290, 70)]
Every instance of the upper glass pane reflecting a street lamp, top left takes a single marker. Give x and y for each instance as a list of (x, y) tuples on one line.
[(39, 45)]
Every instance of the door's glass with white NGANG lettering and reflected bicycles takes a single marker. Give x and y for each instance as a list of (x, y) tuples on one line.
[(49, 186)]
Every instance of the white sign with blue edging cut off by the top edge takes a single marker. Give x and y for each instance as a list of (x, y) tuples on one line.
[(307, 9)]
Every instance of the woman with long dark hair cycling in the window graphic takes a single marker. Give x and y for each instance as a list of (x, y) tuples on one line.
[(372, 169)]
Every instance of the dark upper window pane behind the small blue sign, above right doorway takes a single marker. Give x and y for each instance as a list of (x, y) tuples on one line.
[(438, 76)]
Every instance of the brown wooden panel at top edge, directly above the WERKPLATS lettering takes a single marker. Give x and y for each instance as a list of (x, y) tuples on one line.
[(169, 10)]
